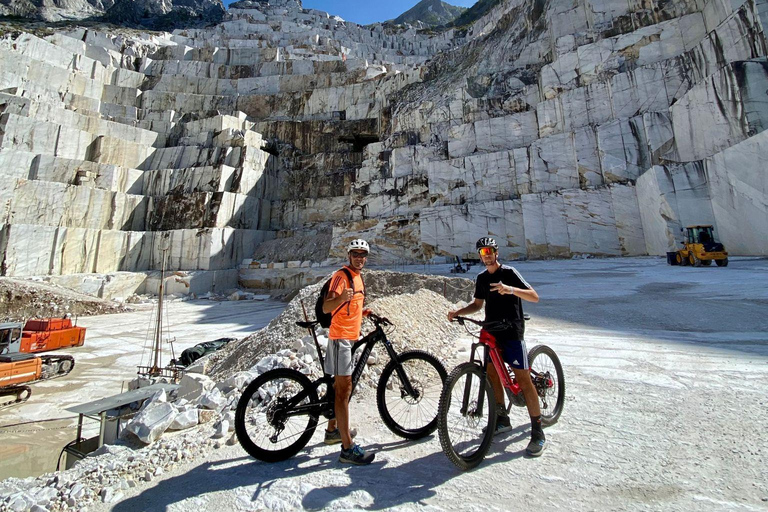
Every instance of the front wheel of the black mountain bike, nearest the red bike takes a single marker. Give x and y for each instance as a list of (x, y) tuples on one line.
[(406, 416)]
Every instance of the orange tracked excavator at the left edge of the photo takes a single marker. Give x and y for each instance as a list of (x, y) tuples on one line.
[(20, 367)]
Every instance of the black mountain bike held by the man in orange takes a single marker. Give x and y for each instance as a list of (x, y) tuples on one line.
[(278, 412)]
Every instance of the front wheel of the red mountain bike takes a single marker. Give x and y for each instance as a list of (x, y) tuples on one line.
[(467, 416)]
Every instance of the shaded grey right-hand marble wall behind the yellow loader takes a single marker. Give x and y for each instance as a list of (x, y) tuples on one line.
[(549, 152)]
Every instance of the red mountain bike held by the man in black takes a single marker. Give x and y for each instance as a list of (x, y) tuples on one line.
[(467, 414)]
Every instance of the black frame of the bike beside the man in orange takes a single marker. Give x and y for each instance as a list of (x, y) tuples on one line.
[(325, 407)]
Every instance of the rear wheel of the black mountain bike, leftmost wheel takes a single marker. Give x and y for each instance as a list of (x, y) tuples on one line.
[(262, 398)]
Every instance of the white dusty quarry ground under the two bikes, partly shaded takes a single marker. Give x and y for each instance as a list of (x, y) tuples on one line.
[(667, 399)]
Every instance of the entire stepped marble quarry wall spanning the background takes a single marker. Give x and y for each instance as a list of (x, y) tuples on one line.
[(561, 128)]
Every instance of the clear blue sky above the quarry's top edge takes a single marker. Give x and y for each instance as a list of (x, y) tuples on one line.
[(368, 11)]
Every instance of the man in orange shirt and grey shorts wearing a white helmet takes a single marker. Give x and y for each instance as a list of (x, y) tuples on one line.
[(345, 302)]
